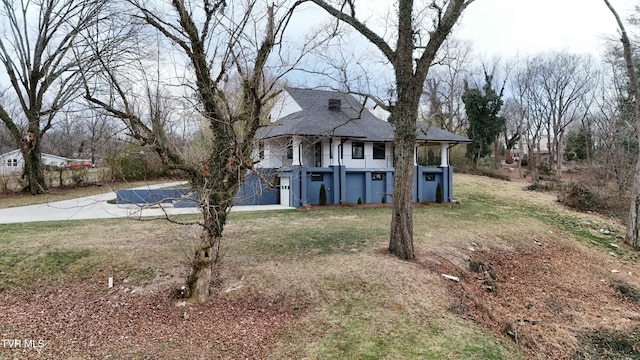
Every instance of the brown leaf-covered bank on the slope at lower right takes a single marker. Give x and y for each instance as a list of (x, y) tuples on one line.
[(545, 298)]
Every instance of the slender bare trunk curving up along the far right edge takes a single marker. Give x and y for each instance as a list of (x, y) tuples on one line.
[(634, 217)]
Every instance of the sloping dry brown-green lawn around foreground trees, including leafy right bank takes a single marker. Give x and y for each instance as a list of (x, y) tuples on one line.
[(340, 295)]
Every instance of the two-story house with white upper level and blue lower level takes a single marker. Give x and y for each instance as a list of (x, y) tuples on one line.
[(328, 138)]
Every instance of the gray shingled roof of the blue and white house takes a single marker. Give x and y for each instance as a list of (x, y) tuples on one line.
[(350, 121)]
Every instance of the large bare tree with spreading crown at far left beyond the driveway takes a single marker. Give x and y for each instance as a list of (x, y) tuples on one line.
[(41, 53)]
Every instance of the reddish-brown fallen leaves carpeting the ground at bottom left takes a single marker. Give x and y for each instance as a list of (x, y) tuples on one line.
[(83, 319)]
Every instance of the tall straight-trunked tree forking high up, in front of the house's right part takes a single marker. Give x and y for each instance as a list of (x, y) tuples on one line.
[(411, 59)]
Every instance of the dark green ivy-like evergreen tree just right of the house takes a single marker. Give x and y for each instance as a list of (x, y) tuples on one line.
[(482, 107)]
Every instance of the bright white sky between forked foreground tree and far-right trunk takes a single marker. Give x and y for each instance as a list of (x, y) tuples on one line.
[(511, 27)]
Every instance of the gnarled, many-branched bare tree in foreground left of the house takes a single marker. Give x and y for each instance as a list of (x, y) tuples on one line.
[(224, 44)]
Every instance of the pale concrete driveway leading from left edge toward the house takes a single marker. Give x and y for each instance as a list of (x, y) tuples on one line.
[(96, 207)]
